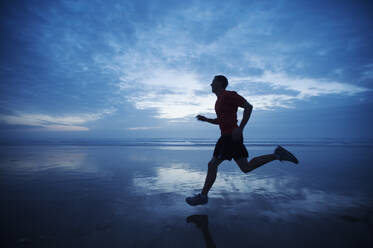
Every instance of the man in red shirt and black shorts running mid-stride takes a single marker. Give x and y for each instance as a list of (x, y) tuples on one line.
[(230, 144)]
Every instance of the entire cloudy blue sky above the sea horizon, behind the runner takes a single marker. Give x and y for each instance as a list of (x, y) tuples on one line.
[(142, 69)]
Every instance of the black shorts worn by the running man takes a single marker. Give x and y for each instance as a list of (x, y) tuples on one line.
[(226, 148)]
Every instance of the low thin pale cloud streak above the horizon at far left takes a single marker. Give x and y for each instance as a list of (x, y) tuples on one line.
[(54, 123)]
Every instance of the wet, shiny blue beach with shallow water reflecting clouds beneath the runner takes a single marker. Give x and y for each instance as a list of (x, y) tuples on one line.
[(133, 196)]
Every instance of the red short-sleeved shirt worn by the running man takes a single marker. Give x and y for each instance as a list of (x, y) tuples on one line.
[(226, 110)]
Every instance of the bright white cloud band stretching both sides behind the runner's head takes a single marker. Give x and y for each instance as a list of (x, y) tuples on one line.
[(176, 93)]
